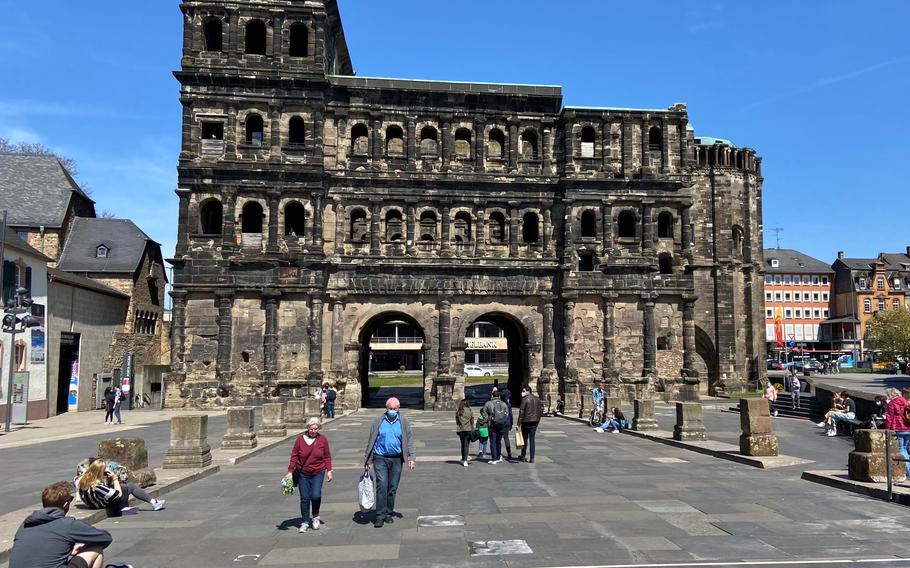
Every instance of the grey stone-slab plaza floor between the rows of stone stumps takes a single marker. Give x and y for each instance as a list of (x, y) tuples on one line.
[(591, 499)]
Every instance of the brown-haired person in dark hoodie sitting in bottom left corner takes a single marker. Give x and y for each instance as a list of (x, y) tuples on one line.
[(50, 539)]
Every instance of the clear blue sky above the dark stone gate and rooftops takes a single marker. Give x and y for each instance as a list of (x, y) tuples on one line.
[(820, 89)]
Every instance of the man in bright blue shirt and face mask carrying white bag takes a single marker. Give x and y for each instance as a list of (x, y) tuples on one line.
[(389, 445)]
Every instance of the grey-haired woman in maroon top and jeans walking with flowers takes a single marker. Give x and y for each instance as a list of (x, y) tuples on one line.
[(311, 461)]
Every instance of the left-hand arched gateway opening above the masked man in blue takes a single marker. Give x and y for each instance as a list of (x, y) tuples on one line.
[(392, 361)]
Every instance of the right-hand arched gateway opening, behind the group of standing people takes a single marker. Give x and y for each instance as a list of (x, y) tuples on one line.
[(495, 354)]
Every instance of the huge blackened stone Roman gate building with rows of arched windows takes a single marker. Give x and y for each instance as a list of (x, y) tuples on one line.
[(316, 205)]
